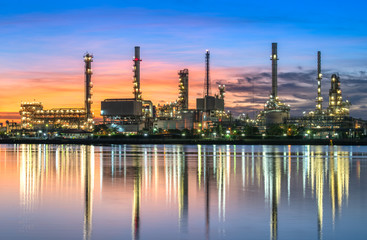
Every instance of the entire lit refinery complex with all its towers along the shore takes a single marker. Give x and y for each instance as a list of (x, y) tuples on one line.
[(137, 115)]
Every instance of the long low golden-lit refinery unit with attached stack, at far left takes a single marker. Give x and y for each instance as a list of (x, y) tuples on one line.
[(34, 116)]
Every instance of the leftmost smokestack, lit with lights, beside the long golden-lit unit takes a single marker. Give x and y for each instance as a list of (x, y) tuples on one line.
[(88, 59)]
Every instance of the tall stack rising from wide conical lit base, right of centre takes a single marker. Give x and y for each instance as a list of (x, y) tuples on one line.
[(275, 112)]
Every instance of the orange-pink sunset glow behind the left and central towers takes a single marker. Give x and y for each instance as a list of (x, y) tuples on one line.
[(113, 79)]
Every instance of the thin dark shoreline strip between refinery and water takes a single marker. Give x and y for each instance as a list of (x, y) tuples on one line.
[(109, 141)]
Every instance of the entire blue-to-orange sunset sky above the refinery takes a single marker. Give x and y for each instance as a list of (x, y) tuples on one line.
[(42, 45)]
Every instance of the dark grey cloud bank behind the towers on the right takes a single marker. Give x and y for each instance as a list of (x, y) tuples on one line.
[(247, 92)]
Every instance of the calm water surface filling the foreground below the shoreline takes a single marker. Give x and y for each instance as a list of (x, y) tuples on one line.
[(183, 192)]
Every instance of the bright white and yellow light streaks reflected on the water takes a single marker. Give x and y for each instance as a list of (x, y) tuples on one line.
[(322, 170)]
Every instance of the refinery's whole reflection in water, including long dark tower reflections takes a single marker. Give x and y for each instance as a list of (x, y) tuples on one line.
[(168, 169)]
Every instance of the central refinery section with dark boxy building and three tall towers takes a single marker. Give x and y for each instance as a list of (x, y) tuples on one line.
[(131, 115)]
